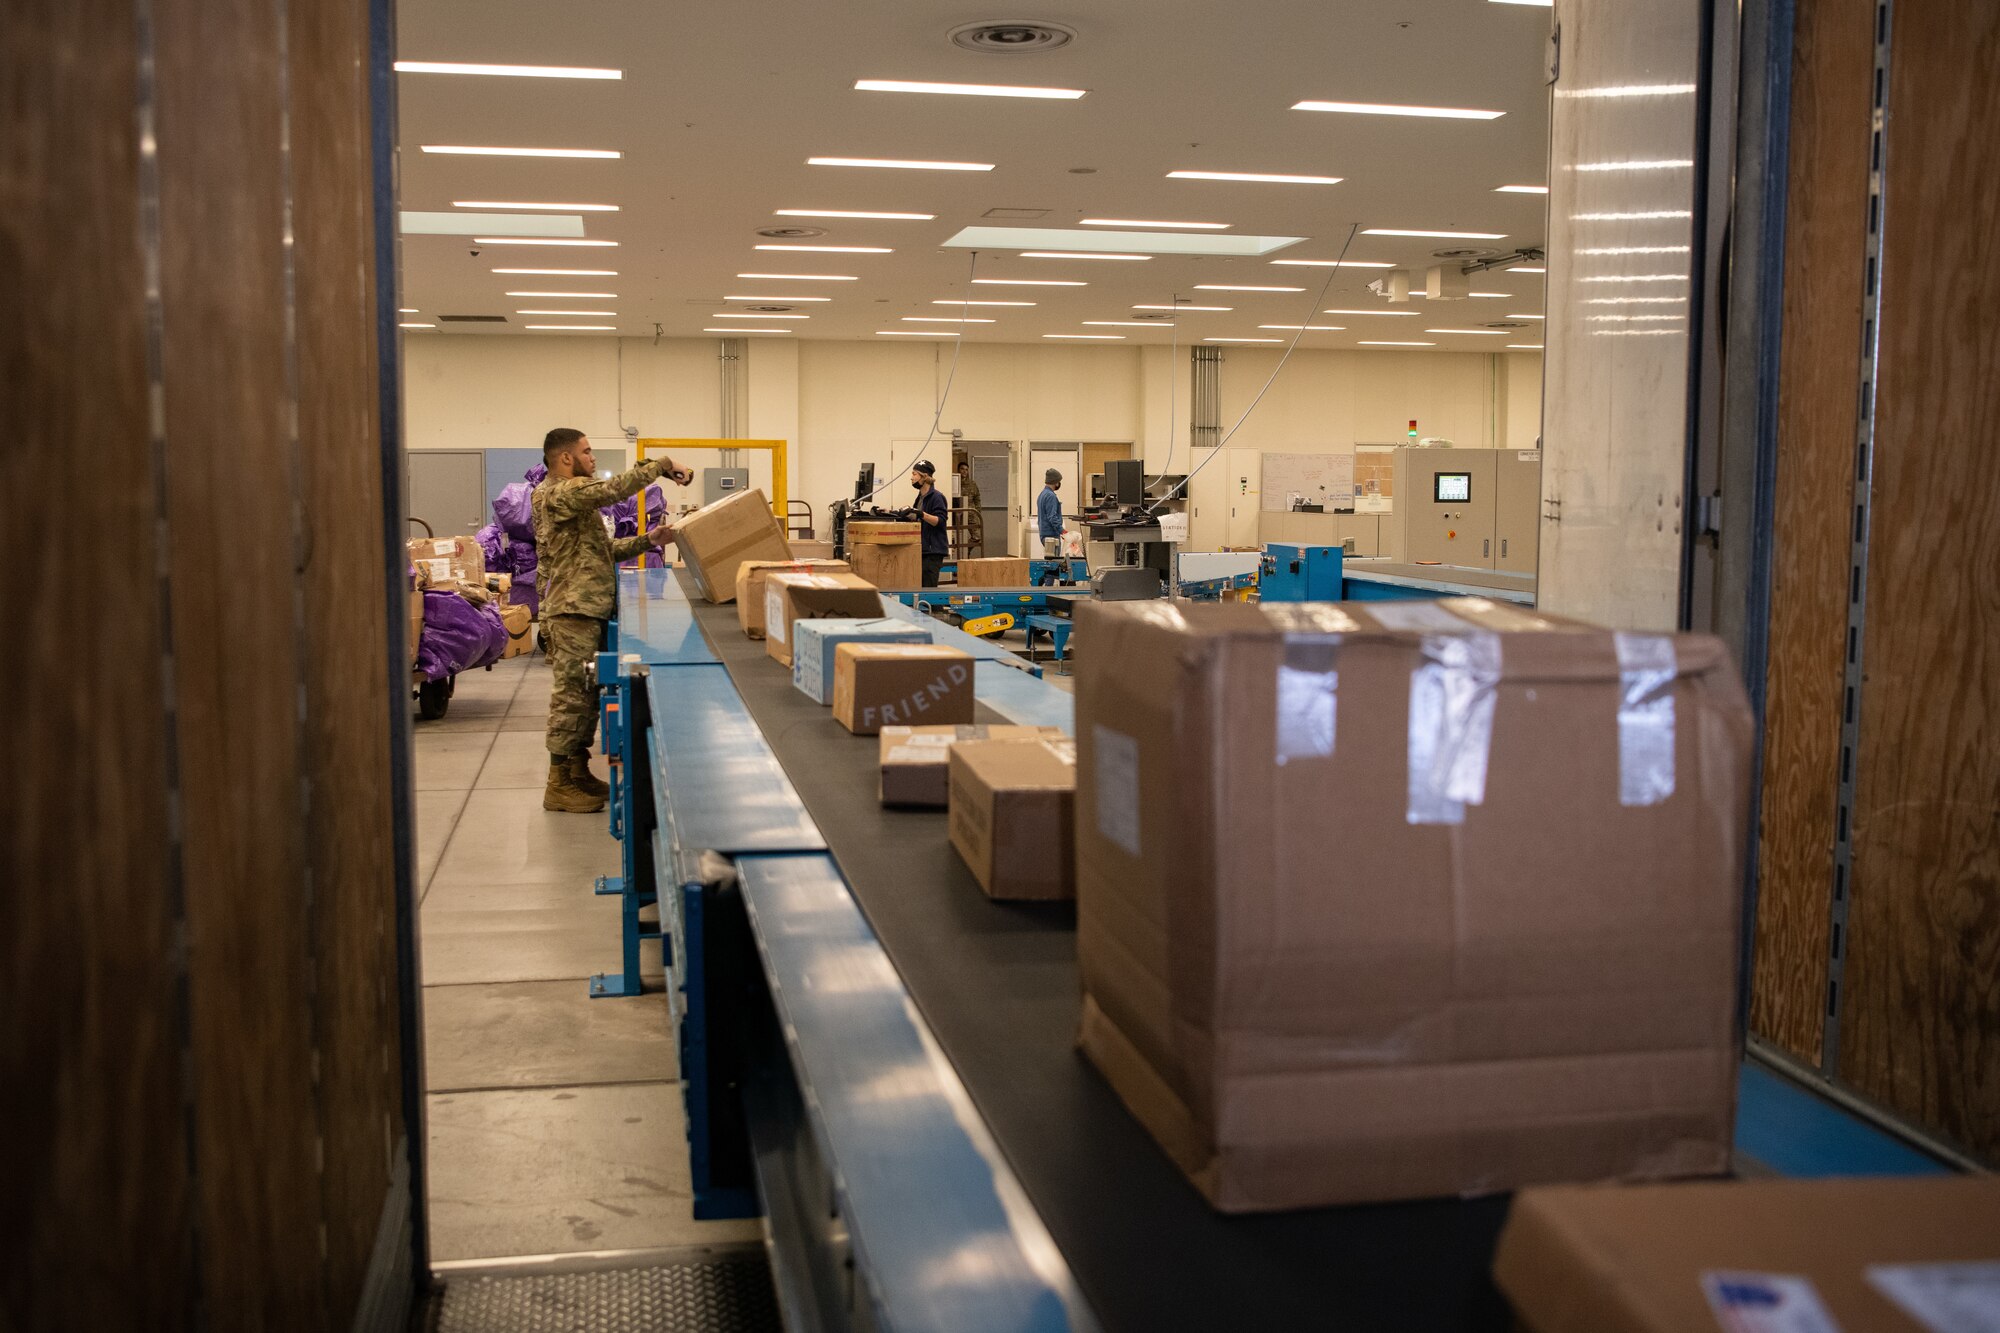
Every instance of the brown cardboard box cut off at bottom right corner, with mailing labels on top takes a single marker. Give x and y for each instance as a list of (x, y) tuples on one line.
[(1643, 1260)]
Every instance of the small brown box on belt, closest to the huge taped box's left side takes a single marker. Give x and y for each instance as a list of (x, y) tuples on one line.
[(1015, 818)]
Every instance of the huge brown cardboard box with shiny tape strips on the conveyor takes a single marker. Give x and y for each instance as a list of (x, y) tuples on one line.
[(1323, 974)]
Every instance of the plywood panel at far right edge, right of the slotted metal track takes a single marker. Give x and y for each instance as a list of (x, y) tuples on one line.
[(1921, 1018)]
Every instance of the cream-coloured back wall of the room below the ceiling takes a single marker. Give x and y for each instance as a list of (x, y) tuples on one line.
[(845, 403)]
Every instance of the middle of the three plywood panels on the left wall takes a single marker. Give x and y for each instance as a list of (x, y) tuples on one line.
[(235, 583)]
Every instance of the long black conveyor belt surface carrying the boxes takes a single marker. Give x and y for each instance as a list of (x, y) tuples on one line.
[(999, 988)]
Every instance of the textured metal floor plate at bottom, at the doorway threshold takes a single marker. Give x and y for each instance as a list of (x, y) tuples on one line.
[(721, 1296)]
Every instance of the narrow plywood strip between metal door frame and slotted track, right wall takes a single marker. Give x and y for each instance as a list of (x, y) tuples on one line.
[(1827, 215)]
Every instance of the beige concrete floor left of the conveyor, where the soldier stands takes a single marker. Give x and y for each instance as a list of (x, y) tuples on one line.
[(555, 1120)]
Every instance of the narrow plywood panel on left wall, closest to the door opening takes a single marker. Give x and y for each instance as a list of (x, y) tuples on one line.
[(351, 844)]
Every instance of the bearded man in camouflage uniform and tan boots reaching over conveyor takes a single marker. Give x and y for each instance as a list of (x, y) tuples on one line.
[(577, 565)]
